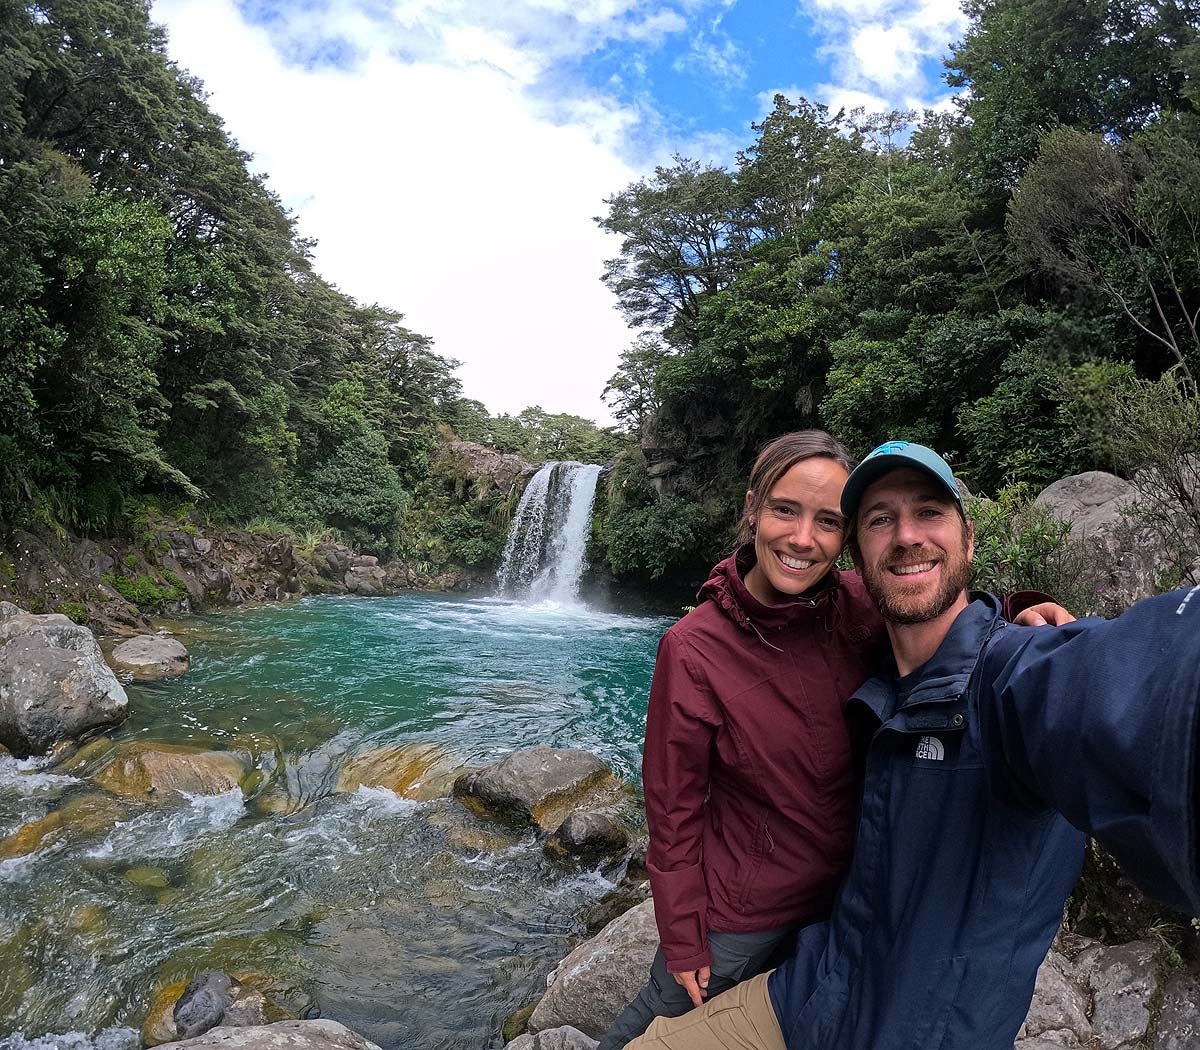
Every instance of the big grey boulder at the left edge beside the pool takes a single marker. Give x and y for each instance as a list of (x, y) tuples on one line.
[(55, 683)]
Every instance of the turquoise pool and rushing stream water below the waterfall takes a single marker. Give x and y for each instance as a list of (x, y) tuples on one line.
[(411, 922)]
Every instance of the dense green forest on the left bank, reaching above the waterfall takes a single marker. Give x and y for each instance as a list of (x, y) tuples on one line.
[(164, 337)]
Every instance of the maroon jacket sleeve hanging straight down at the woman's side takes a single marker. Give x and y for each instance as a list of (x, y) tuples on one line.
[(681, 725)]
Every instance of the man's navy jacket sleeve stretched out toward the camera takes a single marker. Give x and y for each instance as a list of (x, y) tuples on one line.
[(1100, 721)]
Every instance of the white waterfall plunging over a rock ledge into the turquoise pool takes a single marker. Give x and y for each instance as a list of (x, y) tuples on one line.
[(547, 551)]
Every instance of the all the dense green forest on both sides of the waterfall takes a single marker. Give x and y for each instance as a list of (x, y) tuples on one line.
[(1003, 280)]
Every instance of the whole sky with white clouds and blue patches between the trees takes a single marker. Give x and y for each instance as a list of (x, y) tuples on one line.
[(449, 157)]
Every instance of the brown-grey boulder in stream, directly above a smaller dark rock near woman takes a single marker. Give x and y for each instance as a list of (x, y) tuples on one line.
[(535, 787)]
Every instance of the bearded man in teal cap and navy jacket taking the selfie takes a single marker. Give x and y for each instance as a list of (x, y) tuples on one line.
[(989, 747)]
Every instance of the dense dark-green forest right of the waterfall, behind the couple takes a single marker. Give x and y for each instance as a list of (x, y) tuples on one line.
[(1003, 281)]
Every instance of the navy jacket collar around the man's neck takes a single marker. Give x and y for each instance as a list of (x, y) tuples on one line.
[(945, 676)]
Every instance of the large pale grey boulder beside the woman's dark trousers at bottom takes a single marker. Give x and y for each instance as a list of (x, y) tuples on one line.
[(592, 986)]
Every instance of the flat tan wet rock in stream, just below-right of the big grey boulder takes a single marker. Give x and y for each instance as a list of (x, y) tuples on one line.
[(149, 770)]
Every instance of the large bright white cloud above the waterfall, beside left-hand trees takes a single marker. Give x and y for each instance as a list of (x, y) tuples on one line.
[(439, 187)]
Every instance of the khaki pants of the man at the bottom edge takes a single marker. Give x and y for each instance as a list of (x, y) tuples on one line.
[(739, 1019)]
